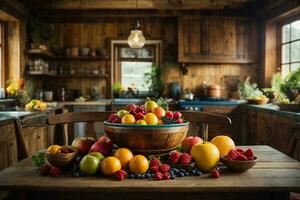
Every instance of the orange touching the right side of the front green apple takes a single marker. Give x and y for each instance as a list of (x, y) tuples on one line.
[(110, 165)]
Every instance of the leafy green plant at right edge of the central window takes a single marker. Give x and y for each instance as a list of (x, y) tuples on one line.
[(154, 80)]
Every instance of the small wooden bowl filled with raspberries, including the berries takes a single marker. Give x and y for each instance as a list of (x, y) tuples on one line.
[(238, 160)]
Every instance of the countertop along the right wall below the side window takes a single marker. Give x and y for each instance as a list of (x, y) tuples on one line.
[(274, 109)]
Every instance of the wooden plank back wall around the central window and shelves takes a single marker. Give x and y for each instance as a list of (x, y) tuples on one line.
[(97, 34)]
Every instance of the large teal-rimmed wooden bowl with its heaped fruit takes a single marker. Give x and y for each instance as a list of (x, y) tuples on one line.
[(148, 129)]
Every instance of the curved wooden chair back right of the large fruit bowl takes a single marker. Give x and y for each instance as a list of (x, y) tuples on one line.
[(203, 120)]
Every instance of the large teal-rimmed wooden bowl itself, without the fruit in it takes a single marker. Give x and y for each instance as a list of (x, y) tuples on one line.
[(147, 139)]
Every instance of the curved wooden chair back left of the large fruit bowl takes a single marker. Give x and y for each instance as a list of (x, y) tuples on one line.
[(89, 117)]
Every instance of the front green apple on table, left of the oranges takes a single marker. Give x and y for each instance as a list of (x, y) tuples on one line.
[(89, 164)]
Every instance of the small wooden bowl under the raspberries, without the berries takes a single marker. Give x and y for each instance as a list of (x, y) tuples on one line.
[(238, 166)]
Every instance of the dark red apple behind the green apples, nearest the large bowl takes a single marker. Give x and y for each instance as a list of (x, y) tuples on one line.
[(104, 145)]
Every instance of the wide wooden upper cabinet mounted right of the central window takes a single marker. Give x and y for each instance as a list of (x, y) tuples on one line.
[(216, 40)]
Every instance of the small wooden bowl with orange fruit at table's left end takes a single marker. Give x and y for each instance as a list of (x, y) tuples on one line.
[(60, 156)]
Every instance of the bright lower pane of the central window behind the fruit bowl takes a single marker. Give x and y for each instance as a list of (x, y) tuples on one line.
[(133, 74)]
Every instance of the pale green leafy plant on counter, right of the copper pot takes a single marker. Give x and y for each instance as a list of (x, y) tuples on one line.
[(247, 90)]
